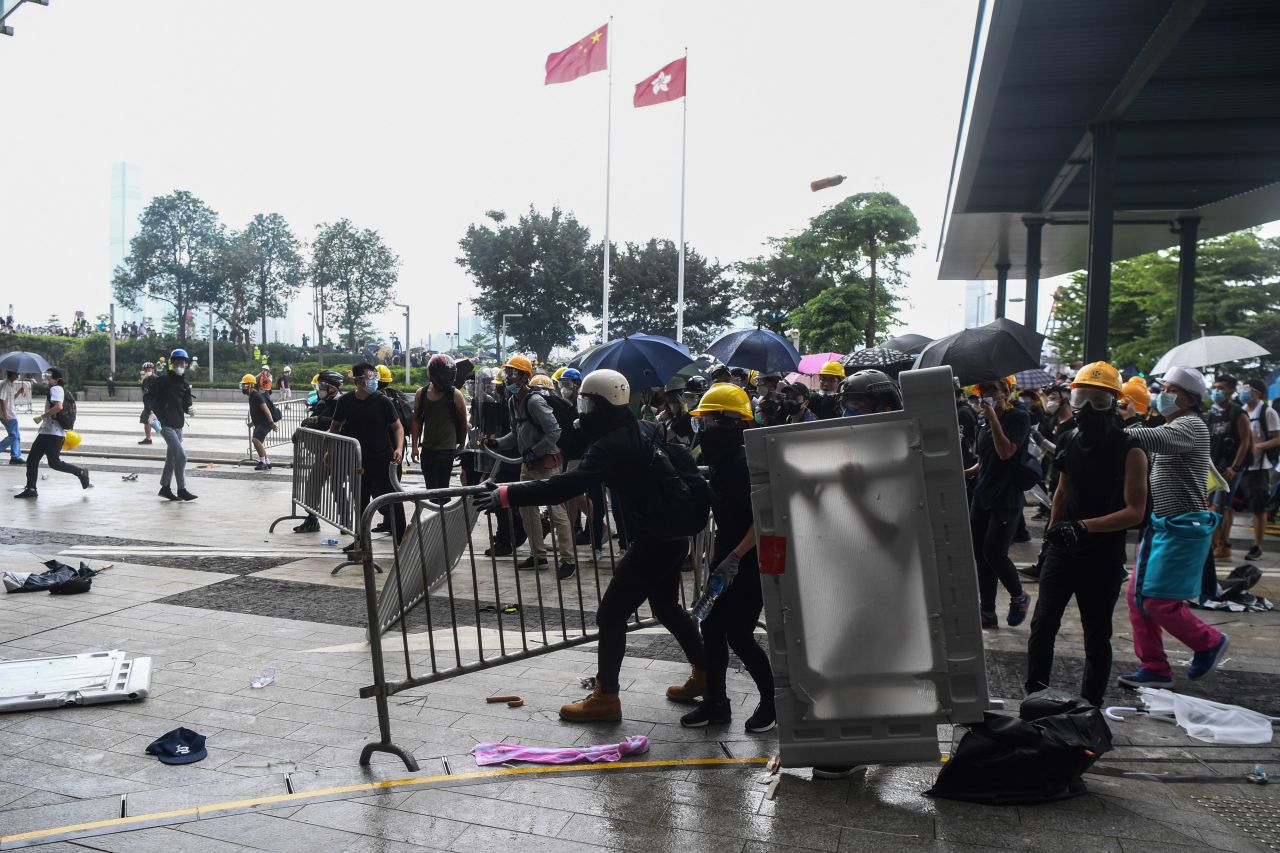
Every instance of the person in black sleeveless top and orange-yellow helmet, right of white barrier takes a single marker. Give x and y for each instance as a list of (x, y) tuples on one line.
[(1101, 494)]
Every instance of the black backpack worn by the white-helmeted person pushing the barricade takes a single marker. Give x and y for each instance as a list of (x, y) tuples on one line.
[(676, 500)]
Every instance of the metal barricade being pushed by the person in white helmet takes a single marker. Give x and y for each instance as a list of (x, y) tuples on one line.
[(459, 612)]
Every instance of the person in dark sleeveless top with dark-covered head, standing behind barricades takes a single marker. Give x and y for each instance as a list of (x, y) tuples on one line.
[(440, 422)]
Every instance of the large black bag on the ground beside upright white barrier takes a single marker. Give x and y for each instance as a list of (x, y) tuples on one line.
[(1014, 761)]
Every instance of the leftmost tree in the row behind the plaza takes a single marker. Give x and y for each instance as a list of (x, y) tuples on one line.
[(173, 259)]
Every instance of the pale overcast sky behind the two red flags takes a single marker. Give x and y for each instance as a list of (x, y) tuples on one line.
[(417, 118)]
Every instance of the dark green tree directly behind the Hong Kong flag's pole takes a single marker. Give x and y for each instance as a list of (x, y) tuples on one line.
[(643, 294)]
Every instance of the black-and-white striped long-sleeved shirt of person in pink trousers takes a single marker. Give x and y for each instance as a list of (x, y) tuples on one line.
[(1180, 468)]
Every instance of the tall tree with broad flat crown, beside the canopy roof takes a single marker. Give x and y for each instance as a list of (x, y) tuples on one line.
[(860, 234)]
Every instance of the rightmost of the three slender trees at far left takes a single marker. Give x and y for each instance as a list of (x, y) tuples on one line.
[(354, 276)]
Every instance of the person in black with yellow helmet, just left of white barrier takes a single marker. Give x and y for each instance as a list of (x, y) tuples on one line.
[(725, 414)]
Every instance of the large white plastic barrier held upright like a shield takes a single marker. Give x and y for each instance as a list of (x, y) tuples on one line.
[(868, 577)]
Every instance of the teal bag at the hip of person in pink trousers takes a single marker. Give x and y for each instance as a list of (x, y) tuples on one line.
[(1172, 559)]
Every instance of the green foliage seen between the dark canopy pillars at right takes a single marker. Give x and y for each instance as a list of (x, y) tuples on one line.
[(1237, 293)]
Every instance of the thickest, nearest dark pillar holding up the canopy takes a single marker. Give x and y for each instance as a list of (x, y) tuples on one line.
[(1098, 295)]
